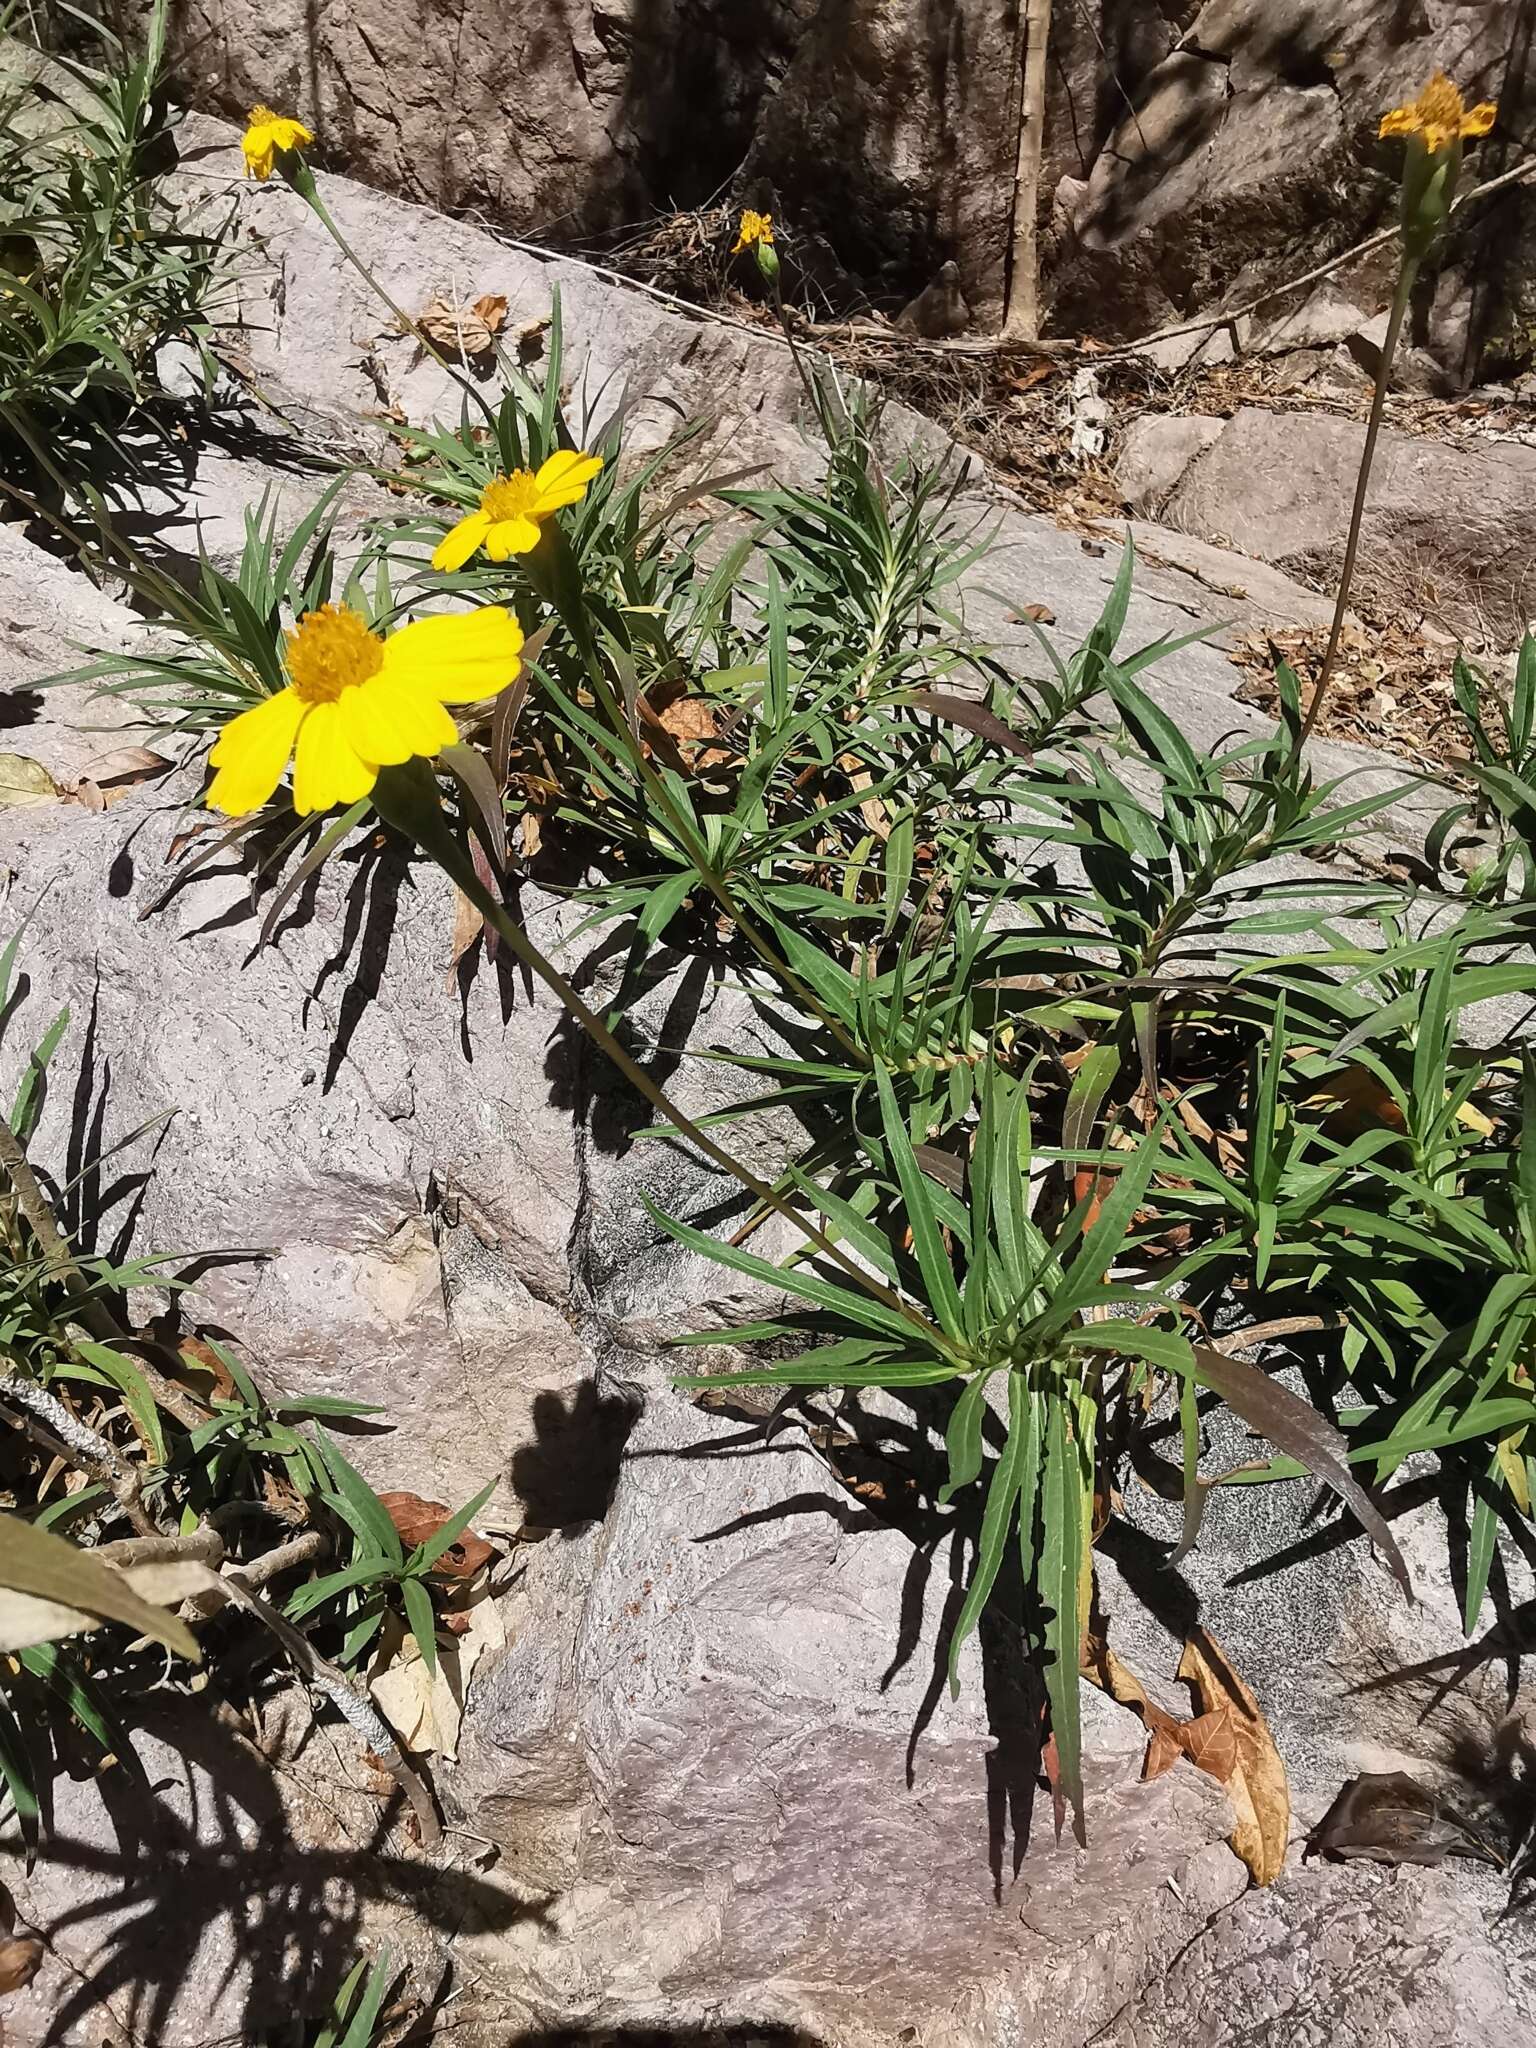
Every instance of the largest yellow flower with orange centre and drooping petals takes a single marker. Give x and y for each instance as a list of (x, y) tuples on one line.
[(357, 703)]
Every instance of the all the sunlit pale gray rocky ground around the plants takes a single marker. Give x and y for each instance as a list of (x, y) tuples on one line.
[(714, 1785)]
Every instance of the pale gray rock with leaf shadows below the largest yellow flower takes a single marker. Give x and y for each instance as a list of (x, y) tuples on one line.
[(343, 1113)]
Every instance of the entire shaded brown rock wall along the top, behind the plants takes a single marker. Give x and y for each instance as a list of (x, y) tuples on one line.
[(1189, 151)]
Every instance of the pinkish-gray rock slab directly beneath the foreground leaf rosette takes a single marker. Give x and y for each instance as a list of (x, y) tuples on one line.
[(720, 1738)]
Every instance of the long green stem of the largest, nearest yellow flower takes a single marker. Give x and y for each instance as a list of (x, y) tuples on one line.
[(409, 800)]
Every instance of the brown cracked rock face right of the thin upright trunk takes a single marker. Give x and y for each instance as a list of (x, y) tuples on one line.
[(1199, 155)]
